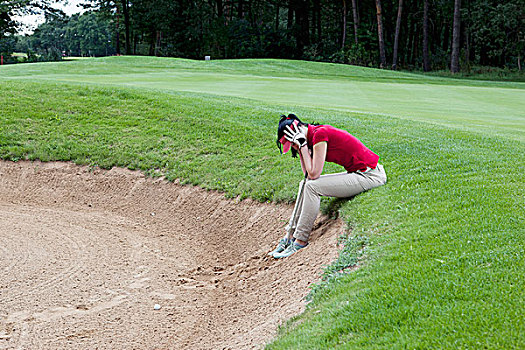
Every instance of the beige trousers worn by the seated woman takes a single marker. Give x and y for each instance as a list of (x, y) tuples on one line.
[(341, 185)]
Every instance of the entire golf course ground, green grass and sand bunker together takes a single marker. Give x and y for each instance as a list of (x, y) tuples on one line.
[(432, 260)]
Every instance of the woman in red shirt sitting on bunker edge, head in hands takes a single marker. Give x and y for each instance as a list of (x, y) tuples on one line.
[(316, 144)]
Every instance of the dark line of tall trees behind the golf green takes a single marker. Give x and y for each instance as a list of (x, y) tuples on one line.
[(407, 34)]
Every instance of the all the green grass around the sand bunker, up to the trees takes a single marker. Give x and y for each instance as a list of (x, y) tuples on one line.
[(440, 247)]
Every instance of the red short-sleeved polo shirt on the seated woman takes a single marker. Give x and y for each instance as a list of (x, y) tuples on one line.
[(343, 148)]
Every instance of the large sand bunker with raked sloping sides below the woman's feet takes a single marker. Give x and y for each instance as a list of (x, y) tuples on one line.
[(86, 254)]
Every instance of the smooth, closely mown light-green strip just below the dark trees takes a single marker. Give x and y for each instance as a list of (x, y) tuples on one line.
[(486, 107)]
